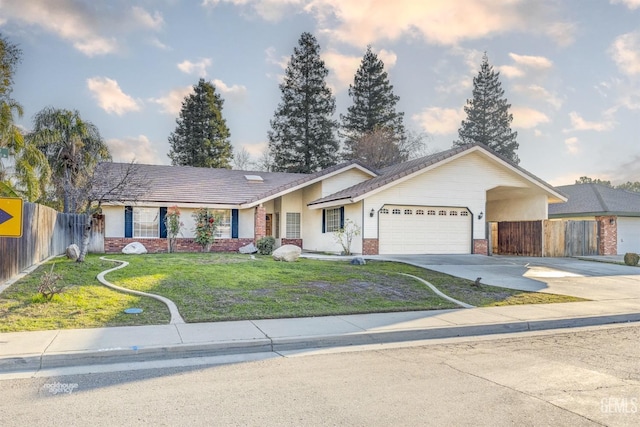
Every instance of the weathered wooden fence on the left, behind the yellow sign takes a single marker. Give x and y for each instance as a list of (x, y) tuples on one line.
[(45, 233)]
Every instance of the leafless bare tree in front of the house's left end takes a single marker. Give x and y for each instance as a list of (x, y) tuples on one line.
[(118, 183)]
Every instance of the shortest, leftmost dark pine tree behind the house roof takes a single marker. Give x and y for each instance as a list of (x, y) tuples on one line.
[(201, 137)]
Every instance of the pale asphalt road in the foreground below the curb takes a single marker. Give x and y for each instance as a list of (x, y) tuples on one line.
[(580, 377)]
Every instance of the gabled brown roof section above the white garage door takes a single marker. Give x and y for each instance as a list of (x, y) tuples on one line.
[(400, 170)]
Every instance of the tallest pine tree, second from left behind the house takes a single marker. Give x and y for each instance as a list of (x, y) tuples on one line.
[(302, 138)]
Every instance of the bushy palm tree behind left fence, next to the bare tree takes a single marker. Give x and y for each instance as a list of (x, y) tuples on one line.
[(72, 147)]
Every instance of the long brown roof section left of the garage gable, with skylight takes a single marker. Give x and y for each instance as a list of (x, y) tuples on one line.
[(185, 184)]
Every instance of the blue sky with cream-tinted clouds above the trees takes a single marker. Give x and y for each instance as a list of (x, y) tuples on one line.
[(569, 68)]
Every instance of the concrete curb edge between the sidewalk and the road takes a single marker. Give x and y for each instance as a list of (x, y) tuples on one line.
[(35, 362)]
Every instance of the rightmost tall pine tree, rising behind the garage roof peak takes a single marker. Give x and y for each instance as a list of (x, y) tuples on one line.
[(488, 119)]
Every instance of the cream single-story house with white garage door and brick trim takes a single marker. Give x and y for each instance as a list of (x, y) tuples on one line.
[(439, 204)]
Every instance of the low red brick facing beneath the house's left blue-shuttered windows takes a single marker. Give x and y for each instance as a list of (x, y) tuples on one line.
[(154, 246)]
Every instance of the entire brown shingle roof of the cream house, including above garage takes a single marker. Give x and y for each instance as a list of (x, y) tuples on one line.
[(185, 184)]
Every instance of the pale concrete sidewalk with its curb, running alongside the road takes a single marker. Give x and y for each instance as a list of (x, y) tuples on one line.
[(34, 351)]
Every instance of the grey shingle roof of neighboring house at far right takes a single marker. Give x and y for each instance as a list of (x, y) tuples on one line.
[(589, 199)]
